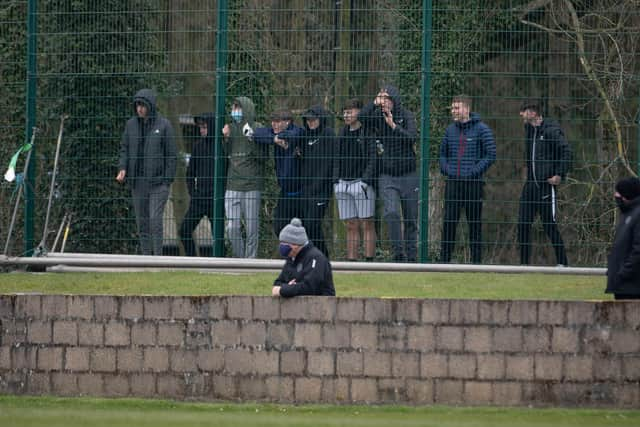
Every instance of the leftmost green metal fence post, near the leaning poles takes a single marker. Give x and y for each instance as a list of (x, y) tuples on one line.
[(29, 178)]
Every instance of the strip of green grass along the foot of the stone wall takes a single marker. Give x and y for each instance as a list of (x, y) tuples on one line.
[(68, 412)]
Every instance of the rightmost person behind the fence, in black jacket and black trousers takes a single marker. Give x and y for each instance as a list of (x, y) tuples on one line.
[(548, 158)]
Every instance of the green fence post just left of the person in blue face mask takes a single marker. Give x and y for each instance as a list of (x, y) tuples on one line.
[(221, 90)]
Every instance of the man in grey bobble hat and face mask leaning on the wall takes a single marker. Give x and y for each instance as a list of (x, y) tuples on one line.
[(307, 271)]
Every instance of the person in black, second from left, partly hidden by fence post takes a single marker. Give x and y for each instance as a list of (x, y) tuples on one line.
[(200, 181)]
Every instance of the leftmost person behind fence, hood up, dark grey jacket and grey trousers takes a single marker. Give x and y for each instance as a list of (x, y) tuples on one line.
[(147, 164)]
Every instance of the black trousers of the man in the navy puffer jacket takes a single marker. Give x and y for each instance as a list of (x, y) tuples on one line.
[(459, 195)]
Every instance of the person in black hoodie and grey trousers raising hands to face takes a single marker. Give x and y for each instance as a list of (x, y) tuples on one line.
[(394, 130)]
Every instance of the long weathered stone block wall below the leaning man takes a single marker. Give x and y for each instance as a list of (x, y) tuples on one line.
[(334, 350)]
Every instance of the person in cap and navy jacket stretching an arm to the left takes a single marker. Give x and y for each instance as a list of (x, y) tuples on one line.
[(284, 135)]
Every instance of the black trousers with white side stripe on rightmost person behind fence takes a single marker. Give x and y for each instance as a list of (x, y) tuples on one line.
[(539, 199)]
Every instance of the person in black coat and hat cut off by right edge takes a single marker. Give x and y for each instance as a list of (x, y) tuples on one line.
[(623, 267)]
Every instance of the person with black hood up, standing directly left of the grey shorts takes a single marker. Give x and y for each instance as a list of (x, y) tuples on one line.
[(317, 151)]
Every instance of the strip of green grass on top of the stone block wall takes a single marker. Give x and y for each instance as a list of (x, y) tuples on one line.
[(393, 285)]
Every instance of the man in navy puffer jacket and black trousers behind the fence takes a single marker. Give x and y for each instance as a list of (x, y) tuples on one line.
[(468, 149)]
